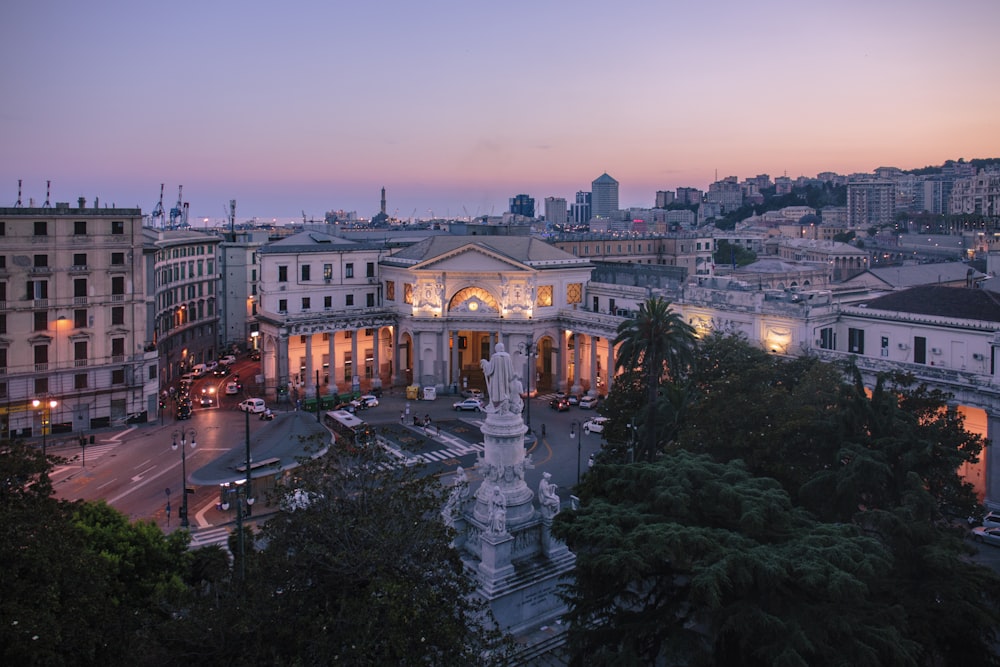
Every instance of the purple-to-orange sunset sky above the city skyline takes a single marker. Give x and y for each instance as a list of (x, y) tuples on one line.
[(455, 107)]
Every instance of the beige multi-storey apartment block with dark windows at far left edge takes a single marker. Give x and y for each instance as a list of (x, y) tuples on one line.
[(75, 353)]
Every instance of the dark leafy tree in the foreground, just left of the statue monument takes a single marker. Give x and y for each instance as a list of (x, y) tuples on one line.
[(358, 569)]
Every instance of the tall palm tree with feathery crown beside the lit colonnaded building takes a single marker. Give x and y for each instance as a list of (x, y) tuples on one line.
[(660, 343)]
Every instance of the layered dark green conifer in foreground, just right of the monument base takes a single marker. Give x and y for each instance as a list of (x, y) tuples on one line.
[(690, 562)]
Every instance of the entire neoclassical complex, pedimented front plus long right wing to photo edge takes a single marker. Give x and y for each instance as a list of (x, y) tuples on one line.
[(338, 315)]
